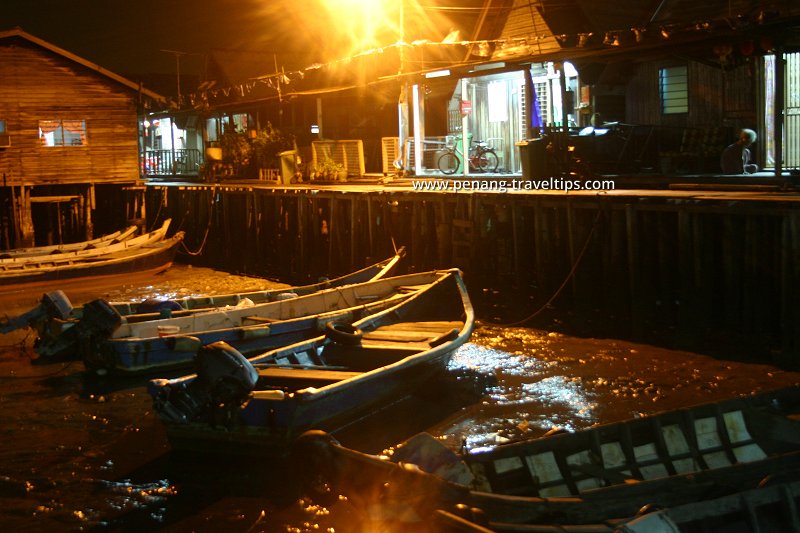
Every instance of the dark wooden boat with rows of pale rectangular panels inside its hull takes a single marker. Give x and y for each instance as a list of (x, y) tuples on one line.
[(592, 476)]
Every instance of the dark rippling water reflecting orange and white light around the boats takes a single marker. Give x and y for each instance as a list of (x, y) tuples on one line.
[(81, 454)]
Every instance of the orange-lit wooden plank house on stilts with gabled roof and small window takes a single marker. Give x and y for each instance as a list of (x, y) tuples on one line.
[(69, 138)]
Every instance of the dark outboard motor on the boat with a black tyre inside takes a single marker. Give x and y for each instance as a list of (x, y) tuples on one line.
[(224, 381)]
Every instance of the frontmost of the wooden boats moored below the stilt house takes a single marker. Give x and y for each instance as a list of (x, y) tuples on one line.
[(147, 257)]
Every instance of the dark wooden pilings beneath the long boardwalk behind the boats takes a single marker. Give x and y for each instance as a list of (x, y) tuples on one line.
[(698, 270)]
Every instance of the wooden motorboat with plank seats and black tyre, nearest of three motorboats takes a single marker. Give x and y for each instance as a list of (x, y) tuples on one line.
[(261, 405)]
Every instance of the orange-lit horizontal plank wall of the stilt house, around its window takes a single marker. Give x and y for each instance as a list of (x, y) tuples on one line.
[(40, 84)]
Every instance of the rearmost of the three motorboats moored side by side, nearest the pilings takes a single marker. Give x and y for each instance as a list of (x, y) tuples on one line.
[(55, 316)]
